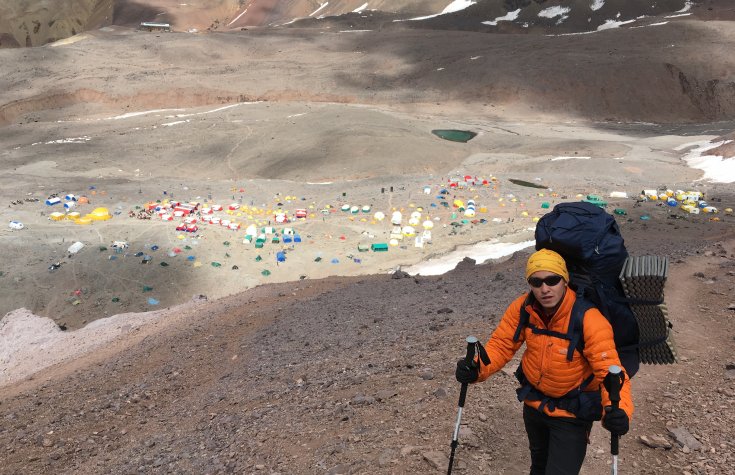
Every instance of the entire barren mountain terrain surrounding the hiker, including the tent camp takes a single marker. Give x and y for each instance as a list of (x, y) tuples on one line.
[(159, 337)]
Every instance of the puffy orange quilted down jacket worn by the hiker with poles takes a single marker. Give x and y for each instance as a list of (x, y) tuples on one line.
[(545, 361)]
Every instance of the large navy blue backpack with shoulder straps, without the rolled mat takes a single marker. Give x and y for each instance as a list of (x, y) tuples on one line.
[(589, 239)]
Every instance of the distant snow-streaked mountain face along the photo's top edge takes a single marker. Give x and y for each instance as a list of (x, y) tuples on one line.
[(37, 22)]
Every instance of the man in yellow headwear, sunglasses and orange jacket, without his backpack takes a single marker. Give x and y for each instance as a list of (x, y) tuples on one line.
[(561, 395)]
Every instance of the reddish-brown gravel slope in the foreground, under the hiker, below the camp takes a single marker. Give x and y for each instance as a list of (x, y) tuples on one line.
[(356, 376)]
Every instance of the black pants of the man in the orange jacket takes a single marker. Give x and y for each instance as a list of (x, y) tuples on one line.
[(558, 444)]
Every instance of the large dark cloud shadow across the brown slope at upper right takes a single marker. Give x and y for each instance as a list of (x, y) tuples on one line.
[(656, 74)]
